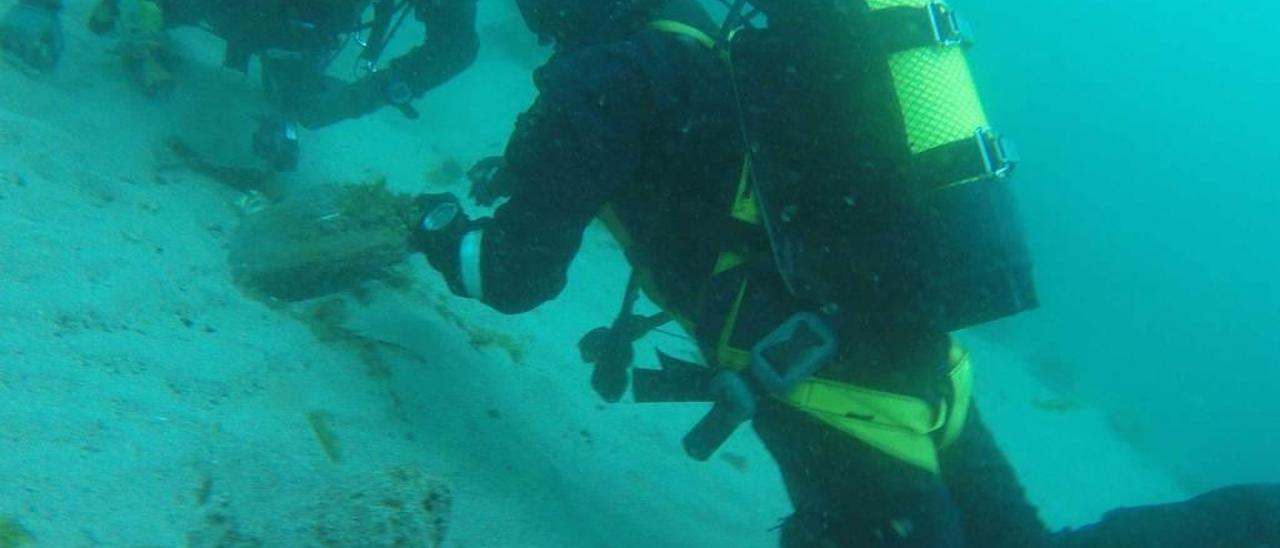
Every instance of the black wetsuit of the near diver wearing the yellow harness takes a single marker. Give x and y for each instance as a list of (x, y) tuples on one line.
[(644, 126)]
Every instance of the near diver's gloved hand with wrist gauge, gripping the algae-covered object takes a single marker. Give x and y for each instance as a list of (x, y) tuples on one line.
[(440, 232)]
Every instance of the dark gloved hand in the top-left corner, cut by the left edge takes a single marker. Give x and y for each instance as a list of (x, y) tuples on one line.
[(33, 33)]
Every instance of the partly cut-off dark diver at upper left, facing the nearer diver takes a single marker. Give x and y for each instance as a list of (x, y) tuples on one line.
[(295, 40)]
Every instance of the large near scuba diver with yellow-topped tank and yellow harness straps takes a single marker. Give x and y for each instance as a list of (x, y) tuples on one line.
[(819, 202)]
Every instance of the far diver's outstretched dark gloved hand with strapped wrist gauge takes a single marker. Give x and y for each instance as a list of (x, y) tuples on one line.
[(341, 101)]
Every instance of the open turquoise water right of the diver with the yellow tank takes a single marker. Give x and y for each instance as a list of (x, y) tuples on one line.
[(1149, 131)]
